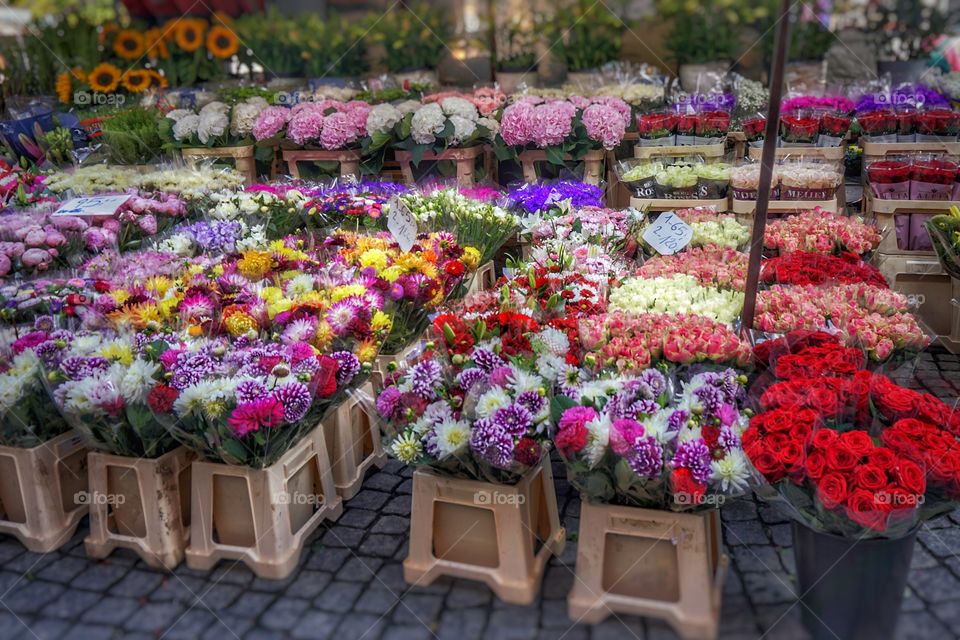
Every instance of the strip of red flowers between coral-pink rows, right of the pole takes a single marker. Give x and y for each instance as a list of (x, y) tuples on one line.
[(804, 268)]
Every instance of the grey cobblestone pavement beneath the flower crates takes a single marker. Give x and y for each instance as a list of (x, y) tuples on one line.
[(349, 583)]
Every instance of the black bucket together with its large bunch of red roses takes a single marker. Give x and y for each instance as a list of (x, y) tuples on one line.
[(858, 461)]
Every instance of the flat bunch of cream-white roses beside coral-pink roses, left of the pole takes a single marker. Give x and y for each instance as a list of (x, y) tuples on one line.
[(677, 294)]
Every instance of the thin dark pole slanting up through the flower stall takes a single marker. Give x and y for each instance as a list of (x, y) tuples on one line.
[(767, 161)]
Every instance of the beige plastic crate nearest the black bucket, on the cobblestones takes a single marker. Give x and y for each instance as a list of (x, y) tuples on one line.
[(651, 563)]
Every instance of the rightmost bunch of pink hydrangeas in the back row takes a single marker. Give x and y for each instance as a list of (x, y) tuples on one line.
[(562, 127)]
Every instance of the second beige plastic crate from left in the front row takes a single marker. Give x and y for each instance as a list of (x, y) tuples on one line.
[(141, 504)]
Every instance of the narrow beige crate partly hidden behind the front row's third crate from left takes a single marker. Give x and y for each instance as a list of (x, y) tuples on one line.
[(352, 436)]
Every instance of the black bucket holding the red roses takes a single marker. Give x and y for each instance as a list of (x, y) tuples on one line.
[(850, 589)]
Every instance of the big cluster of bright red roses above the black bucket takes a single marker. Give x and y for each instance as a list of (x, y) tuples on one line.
[(822, 389)]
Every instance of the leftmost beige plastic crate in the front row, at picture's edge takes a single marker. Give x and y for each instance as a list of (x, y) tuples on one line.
[(43, 491)]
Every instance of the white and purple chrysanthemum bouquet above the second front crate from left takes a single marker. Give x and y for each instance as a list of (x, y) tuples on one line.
[(100, 383)]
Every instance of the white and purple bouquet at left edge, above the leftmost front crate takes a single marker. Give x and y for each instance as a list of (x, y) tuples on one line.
[(27, 417)]
